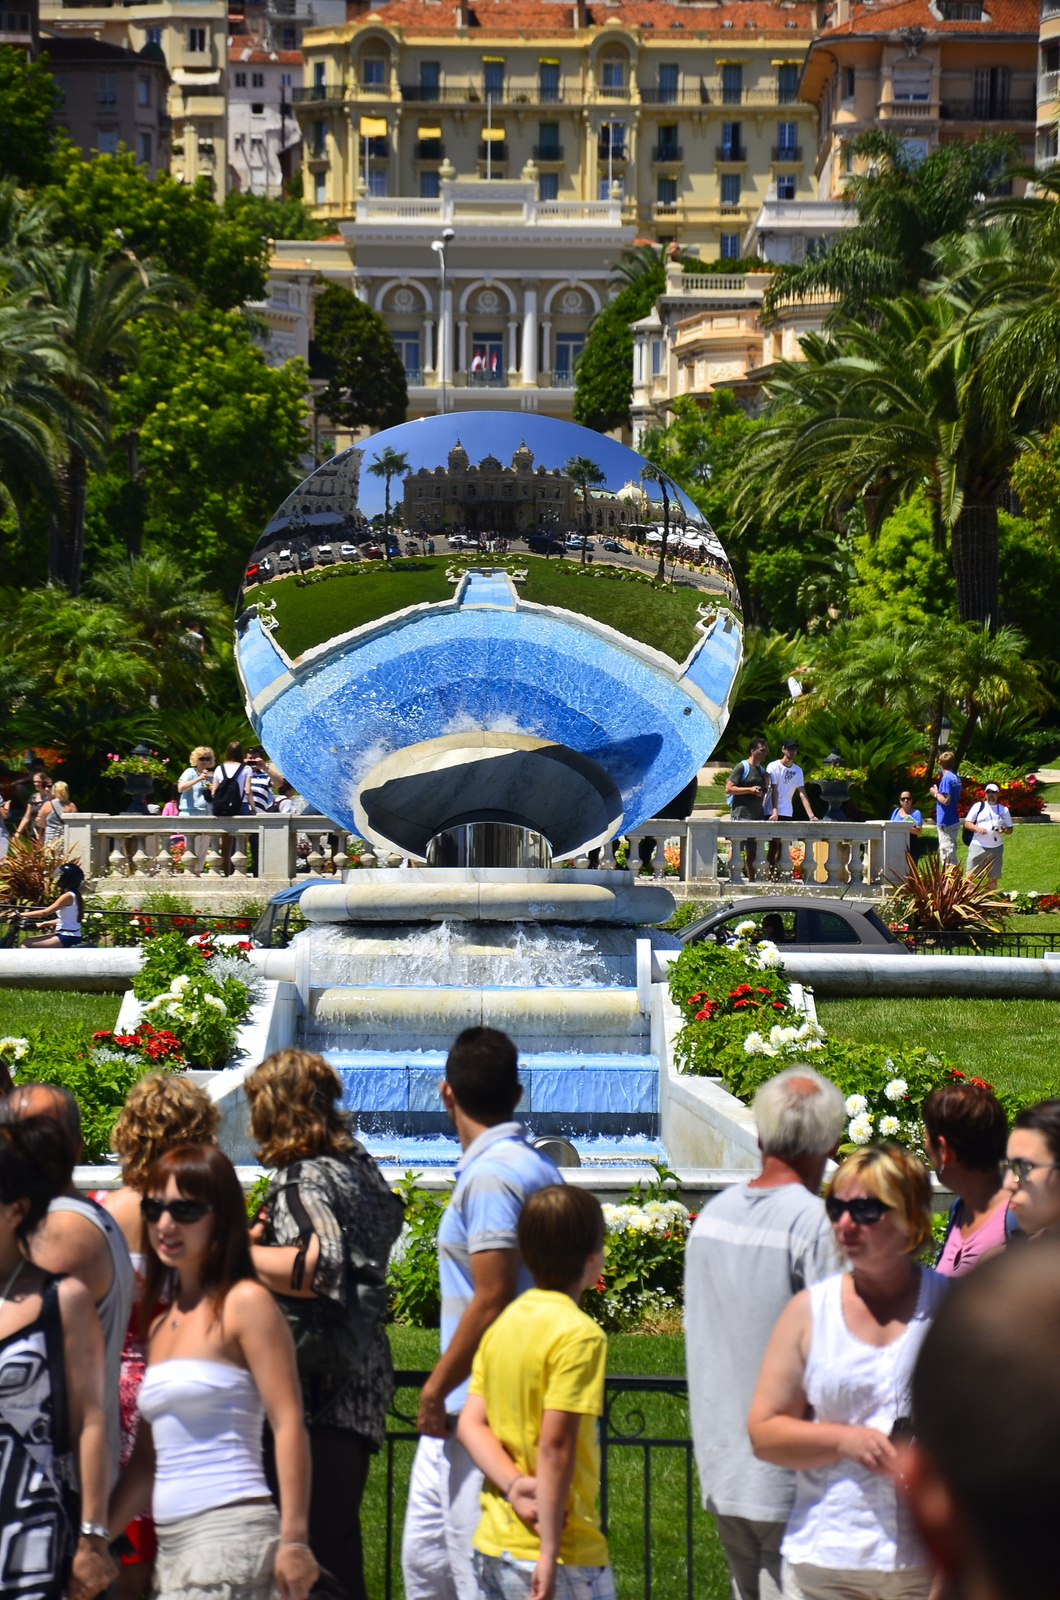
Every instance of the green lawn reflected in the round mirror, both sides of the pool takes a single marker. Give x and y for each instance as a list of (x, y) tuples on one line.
[(363, 593)]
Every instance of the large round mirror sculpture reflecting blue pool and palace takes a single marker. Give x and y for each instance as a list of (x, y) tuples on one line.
[(526, 689)]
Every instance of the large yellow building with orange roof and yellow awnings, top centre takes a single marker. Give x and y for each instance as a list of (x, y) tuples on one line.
[(686, 113)]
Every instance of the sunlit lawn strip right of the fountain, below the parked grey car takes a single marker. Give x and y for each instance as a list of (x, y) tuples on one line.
[(1013, 1044)]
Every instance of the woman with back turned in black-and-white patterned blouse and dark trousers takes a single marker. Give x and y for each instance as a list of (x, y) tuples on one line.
[(323, 1249)]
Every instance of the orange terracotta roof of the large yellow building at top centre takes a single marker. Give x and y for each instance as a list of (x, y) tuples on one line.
[(545, 17)]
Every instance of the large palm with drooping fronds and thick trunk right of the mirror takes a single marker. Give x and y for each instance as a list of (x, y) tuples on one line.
[(878, 412)]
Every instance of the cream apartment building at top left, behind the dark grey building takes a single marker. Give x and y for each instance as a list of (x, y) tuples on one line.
[(193, 36)]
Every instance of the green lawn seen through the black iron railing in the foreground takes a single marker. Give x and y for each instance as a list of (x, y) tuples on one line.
[(664, 1417)]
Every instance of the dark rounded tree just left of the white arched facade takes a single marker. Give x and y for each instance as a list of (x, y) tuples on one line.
[(356, 356)]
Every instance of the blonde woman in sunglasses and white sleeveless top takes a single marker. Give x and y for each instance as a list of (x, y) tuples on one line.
[(833, 1396)]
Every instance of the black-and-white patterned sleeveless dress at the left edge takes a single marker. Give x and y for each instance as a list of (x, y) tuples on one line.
[(36, 1466)]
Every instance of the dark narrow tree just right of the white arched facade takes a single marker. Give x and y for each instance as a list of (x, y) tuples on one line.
[(604, 370)]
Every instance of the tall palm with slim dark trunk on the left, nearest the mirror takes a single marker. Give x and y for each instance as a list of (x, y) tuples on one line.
[(100, 308)]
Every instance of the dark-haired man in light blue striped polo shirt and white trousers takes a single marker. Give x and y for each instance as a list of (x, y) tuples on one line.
[(481, 1271)]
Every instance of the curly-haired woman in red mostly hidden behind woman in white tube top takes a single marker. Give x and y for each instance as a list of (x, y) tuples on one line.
[(163, 1111)]
